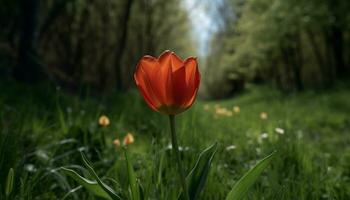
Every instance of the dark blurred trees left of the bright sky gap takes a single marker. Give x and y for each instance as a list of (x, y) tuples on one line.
[(90, 44)]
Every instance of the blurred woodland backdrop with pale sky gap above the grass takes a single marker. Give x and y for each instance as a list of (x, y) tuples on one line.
[(81, 44)]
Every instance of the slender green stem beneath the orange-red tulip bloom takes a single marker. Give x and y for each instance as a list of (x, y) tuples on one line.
[(175, 148)]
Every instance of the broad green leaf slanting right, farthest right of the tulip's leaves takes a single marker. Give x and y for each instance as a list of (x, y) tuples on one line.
[(241, 188)]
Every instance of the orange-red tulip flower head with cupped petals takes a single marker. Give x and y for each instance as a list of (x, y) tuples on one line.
[(168, 84)]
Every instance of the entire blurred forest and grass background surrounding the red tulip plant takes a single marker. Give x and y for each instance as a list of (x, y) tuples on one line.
[(275, 76)]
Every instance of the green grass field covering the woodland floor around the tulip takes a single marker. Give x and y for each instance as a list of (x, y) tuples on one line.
[(44, 128)]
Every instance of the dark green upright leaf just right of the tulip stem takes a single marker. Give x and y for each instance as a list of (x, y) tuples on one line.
[(198, 175)]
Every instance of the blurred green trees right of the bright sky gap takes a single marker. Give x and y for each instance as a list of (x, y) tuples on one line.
[(293, 43)]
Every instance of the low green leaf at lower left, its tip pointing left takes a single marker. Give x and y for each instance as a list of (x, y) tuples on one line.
[(91, 186)]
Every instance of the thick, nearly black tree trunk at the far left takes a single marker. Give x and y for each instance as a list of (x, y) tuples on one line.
[(28, 68)]
